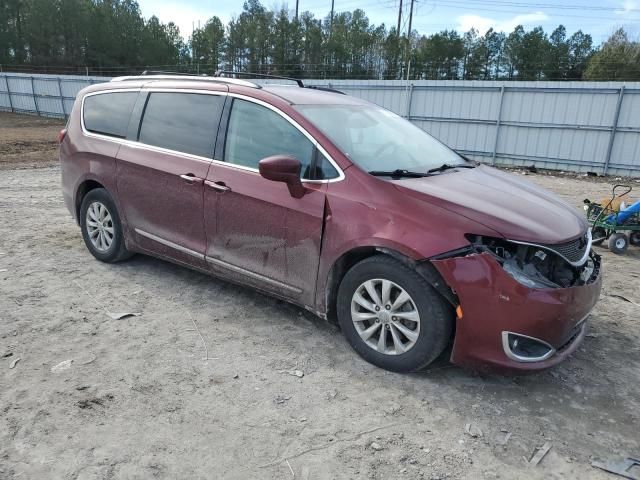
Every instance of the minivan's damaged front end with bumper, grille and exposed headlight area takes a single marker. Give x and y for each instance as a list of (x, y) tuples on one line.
[(523, 306)]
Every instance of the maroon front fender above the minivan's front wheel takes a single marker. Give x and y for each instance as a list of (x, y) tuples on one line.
[(389, 220)]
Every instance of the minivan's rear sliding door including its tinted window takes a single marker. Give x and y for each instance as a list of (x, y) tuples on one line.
[(160, 177)]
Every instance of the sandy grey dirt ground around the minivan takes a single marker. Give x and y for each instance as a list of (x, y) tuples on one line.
[(202, 384)]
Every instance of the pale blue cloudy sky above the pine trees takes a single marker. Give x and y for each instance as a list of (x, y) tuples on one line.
[(596, 17)]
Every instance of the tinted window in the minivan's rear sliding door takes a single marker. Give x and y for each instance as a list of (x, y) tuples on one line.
[(185, 122)]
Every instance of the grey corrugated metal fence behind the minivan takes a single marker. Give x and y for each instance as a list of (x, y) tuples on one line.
[(579, 126)]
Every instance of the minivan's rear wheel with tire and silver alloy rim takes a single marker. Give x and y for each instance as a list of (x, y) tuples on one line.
[(101, 227)]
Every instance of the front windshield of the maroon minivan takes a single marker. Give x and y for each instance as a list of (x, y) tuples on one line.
[(379, 140)]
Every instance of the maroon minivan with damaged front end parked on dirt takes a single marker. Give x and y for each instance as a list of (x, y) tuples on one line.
[(336, 205)]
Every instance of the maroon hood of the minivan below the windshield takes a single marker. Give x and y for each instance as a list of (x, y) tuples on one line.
[(511, 206)]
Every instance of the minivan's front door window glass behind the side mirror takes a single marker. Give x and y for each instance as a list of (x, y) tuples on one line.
[(256, 132)]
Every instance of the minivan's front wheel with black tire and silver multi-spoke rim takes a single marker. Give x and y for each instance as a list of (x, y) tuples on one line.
[(391, 316)]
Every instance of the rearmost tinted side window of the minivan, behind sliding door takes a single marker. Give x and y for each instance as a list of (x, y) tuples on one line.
[(108, 113)]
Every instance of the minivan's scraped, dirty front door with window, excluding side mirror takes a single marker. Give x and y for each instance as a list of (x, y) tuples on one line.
[(257, 232)]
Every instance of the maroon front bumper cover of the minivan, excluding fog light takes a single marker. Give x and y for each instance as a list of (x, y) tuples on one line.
[(493, 302)]
